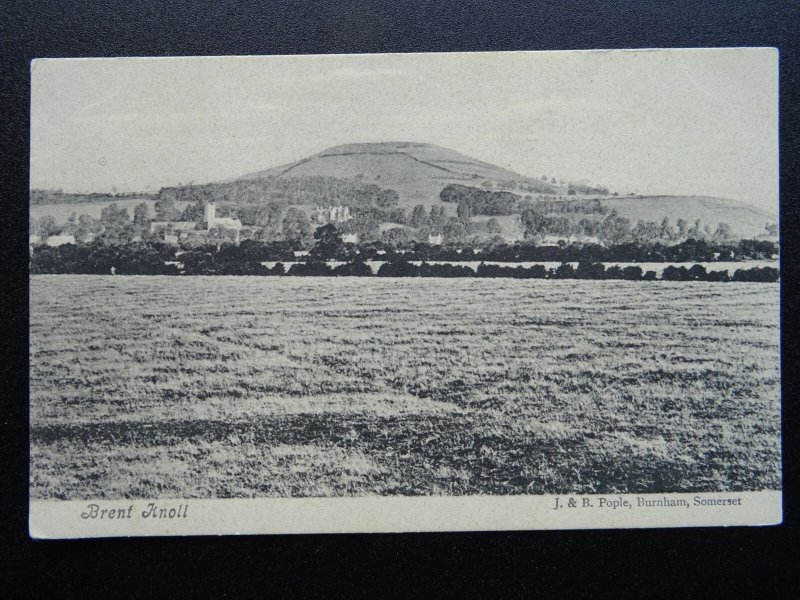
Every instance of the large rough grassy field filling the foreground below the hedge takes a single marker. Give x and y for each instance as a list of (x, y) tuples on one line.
[(247, 387)]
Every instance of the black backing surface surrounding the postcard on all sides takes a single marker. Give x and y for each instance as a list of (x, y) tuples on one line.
[(690, 562)]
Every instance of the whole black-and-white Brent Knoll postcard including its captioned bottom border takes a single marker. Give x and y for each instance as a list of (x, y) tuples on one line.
[(404, 292)]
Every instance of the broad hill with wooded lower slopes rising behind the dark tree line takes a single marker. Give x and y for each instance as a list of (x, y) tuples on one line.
[(382, 182)]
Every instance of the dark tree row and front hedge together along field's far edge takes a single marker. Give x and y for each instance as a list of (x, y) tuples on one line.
[(156, 258)]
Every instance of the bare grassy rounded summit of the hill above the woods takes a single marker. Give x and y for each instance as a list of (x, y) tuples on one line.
[(418, 172)]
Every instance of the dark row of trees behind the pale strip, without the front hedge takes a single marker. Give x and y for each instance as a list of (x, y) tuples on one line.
[(99, 255)]
